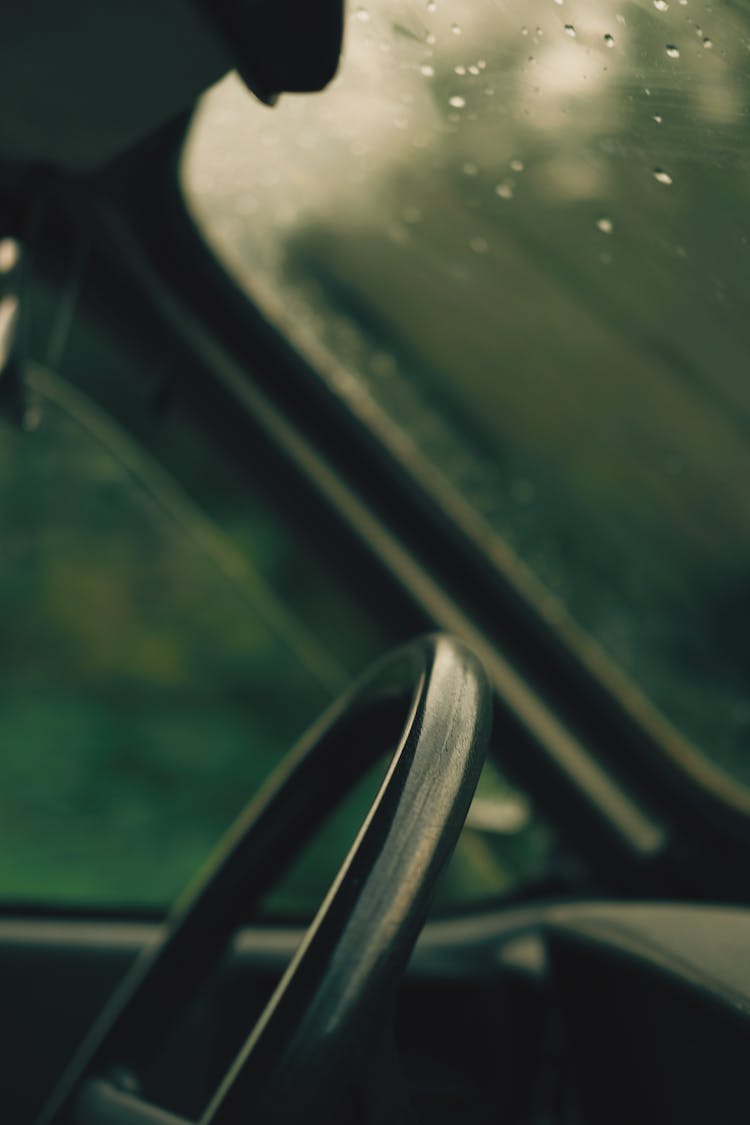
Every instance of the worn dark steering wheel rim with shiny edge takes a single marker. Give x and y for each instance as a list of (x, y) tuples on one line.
[(313, 1048)]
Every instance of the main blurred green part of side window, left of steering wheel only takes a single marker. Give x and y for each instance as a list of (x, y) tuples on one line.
[(150, 673)]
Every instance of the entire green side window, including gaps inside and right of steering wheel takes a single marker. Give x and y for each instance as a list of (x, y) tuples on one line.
[(167, 633)]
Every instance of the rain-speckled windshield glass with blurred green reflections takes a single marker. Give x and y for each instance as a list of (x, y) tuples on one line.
[(521, 232)]
